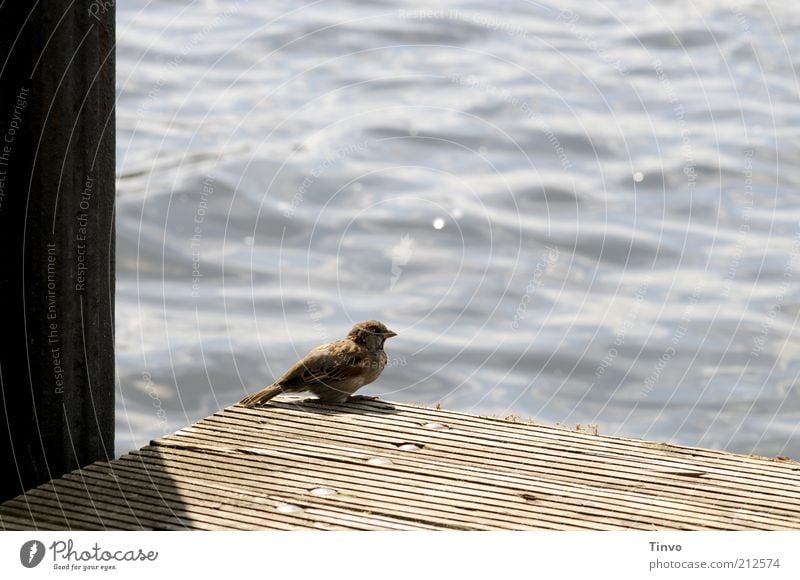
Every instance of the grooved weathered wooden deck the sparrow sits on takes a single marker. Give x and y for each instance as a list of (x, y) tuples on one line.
[(375, 465)]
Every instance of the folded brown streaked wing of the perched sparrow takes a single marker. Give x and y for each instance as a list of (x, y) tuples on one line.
[(325, 364)]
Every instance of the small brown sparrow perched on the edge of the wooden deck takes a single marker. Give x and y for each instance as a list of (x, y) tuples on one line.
[(334, 371)]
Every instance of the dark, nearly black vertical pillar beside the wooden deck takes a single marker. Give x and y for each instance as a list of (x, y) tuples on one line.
[(56, 239)]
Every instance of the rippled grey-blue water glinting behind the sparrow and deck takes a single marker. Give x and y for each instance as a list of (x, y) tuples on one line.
[(579, 214)]
